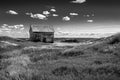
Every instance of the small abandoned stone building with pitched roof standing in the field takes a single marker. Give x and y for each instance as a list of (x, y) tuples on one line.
[(41, 34)]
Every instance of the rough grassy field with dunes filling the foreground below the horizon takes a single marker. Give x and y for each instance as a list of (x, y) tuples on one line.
[(25, 60)]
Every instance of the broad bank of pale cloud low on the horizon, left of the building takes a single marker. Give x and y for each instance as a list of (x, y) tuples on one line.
[(15, 31)]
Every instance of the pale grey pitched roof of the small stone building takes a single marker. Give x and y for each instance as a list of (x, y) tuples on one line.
[(42, 28)]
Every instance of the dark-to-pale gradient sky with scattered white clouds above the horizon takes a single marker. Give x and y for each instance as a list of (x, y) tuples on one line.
[(70, 18)]
